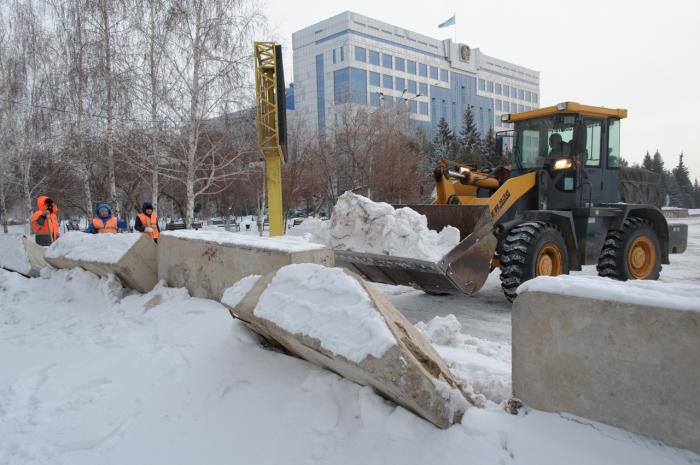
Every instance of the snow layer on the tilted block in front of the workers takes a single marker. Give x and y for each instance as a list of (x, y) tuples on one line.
[(101, 248)]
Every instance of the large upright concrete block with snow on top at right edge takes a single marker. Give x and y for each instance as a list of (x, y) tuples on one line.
[(622, 353)]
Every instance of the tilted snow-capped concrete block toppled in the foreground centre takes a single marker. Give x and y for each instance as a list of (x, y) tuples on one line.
[(333, 318)]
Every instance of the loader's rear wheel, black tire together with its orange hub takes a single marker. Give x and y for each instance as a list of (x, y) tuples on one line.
[(631, 253)]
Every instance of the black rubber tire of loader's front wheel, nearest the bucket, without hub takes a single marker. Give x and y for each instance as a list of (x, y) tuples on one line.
[(521, 248)]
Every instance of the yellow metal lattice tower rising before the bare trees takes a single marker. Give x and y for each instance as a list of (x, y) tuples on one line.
[(271, 124)]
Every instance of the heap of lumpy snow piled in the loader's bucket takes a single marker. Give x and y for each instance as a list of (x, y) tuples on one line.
[(360, 225)]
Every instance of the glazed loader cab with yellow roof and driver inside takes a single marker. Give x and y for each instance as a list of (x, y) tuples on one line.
[(574, 148)]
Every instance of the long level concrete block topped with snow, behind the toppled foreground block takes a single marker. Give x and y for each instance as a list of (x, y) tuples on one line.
[(209, 262)]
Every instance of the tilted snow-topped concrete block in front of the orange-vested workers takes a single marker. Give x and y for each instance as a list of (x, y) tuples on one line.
[(130, 257)]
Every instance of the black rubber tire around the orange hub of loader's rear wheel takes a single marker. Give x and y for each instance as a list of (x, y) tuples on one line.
[(614, 260)]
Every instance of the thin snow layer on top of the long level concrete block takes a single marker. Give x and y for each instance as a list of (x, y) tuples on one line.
[(283, 243)]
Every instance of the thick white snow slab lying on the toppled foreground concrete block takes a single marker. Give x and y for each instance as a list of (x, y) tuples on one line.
[(329, 305)]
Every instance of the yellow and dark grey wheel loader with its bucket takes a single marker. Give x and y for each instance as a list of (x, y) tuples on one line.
[(555, 209)]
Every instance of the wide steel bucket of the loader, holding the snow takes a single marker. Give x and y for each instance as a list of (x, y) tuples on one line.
[(463, 270)]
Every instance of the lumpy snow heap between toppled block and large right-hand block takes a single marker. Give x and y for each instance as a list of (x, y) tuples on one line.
[(481, 367)]
